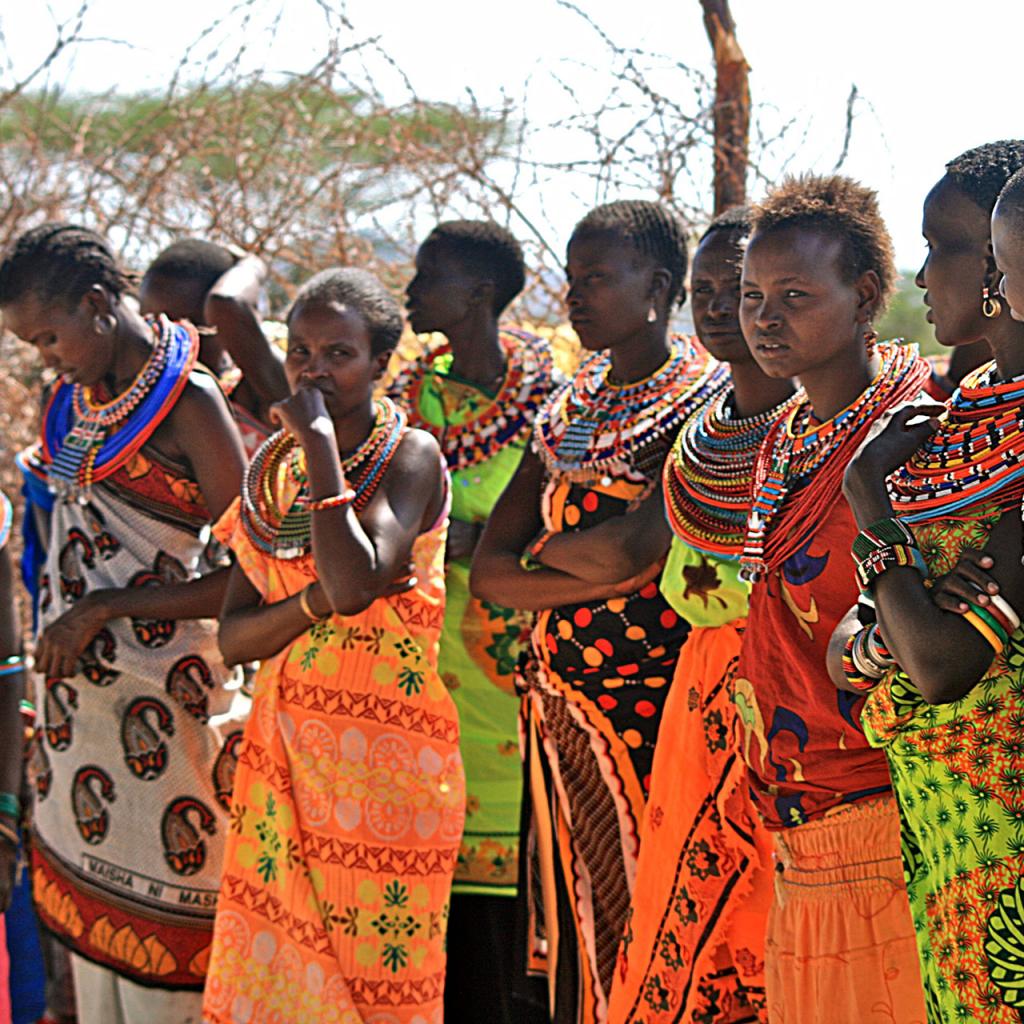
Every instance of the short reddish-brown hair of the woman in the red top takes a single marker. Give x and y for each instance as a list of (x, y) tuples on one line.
[(840, 207)]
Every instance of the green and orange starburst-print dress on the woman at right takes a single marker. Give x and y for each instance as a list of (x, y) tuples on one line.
[(958, 771)]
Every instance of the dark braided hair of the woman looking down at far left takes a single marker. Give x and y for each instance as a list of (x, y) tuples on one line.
[(60, 264)]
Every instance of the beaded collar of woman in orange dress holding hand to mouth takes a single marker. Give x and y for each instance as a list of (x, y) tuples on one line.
[(287, 533)]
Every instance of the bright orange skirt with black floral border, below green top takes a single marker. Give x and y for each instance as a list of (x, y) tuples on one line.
[(695, 946)]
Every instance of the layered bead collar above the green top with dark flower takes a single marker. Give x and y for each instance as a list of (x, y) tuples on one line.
[(709, 477)]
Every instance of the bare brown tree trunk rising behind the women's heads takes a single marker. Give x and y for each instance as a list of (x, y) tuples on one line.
[(733, 106)]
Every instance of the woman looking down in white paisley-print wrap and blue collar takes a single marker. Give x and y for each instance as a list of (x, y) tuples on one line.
[(138, 454)]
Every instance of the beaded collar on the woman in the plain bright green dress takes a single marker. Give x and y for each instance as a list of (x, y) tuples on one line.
[(503, 419)]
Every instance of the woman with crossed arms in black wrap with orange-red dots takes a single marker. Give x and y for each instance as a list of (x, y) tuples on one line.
[(579, 538)]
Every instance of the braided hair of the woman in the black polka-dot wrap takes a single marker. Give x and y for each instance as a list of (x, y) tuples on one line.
[(652, 229)]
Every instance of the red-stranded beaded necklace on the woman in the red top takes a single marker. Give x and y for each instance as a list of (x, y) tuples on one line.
[(795, 451)]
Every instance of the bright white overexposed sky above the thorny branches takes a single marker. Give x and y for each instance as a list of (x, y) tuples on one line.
[(934, 78)]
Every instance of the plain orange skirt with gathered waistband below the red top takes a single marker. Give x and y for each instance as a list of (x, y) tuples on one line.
[(841, 944)]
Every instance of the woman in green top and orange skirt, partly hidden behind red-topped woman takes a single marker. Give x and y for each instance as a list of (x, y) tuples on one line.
[(695, 946)]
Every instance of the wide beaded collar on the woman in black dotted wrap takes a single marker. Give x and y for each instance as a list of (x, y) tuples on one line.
[(592, 430)]
